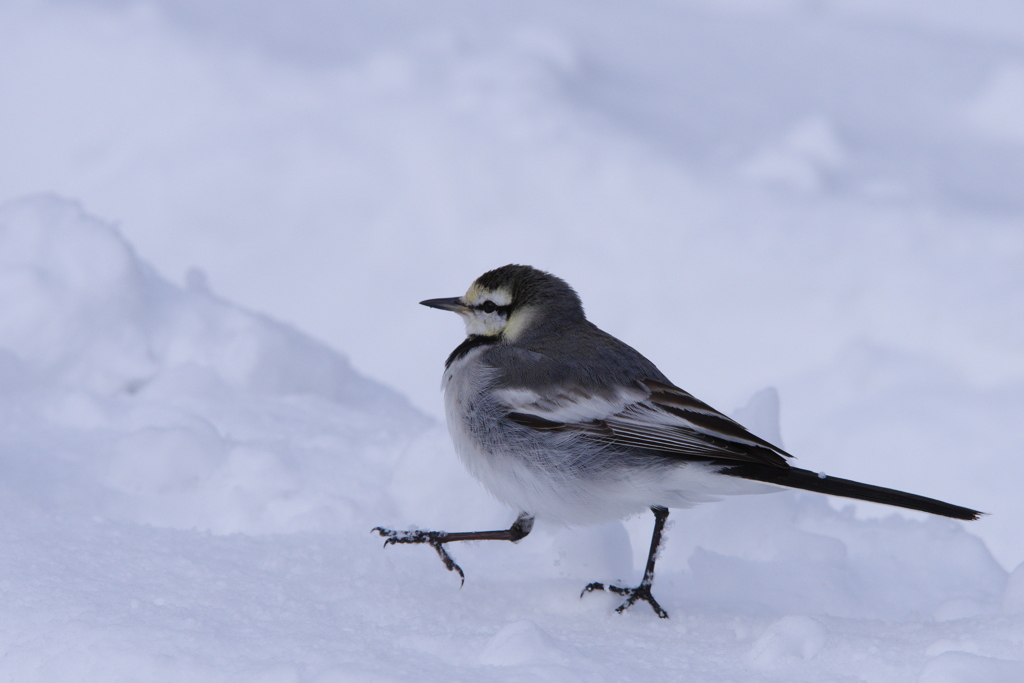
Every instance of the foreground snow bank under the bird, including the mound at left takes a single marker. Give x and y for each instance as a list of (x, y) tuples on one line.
[(137, 417)]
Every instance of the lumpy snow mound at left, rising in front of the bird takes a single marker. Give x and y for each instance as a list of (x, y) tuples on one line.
[(126, 397)]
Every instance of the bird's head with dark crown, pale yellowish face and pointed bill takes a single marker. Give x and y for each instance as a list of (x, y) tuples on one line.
[(514, 302)]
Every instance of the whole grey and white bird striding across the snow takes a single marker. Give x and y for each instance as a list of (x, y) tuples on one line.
[(560, 420)]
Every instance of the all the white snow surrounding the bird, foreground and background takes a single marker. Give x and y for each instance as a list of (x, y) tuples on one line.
[(824, 198)]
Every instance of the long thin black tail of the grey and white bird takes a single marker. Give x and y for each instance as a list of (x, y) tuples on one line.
[(797, 479)]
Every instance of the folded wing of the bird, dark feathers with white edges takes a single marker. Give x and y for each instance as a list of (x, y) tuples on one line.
[(652, 416)]
